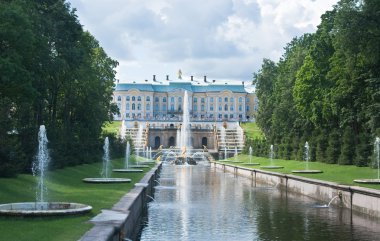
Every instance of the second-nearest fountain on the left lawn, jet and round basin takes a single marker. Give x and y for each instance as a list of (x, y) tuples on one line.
[(105, 170)]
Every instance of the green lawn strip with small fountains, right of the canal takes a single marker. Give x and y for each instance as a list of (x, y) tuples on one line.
[(331, 172)]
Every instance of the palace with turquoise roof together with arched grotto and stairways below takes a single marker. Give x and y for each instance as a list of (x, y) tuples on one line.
[(212, 110)]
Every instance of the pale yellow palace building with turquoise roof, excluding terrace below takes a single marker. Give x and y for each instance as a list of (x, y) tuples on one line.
[(163, 100)]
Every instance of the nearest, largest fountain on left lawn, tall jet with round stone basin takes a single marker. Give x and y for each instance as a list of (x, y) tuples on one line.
[(40, 207)]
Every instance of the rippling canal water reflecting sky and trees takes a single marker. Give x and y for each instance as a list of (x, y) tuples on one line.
[(207, 204)]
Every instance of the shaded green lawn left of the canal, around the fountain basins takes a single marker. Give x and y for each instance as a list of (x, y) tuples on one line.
[(63, 185)]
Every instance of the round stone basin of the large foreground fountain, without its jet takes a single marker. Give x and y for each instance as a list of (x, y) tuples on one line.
[(43, 209)]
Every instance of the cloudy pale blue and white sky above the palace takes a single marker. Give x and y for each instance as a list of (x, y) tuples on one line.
[(223, 39)]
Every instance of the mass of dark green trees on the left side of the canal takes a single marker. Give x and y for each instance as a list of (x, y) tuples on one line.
[(52, 73)]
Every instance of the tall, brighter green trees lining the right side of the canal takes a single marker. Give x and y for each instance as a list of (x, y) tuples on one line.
[(324, 83)]
